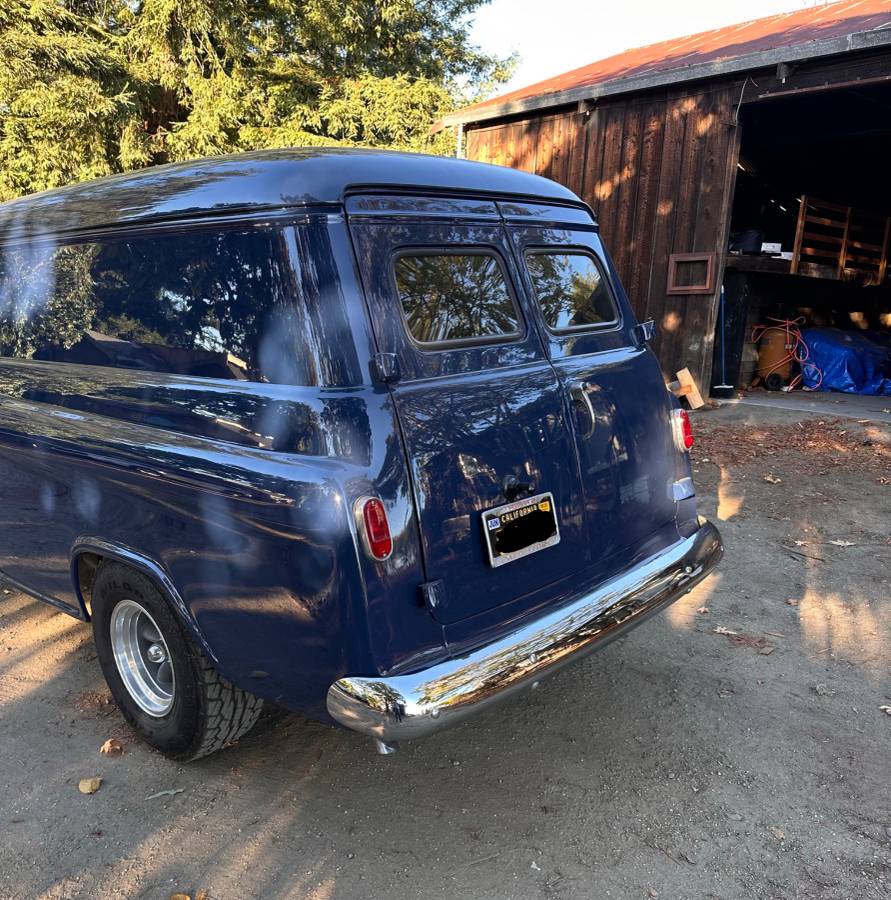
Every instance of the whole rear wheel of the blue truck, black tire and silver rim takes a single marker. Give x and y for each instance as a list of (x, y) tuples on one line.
[(163, 684)]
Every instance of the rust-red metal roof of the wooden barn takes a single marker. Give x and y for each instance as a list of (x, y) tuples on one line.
[(818, 23)]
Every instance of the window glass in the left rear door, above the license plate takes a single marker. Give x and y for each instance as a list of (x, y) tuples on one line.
[(450, 298)]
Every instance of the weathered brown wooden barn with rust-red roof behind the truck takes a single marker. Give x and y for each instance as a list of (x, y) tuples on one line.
[(754, 158)]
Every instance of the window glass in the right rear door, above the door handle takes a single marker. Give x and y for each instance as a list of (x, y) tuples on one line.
[(570, 289)]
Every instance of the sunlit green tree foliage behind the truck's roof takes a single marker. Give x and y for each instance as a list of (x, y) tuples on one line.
[(92, 87)]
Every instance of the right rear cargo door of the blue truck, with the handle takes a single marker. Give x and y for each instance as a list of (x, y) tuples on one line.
[(619, 399)]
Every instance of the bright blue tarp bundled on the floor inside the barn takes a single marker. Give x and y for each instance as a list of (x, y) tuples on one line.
[(855, 362)]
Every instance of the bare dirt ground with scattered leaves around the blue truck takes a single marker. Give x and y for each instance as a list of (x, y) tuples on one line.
[(732, 747)]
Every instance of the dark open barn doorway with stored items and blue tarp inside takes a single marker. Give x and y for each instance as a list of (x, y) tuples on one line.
[(810, 246)]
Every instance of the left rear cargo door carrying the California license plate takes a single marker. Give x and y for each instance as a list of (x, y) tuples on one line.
[(482, 412)]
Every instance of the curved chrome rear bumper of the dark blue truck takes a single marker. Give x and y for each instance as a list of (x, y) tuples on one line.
[(403, 707)]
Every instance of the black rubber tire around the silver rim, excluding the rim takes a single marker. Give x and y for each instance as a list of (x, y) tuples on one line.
[(207, 712)]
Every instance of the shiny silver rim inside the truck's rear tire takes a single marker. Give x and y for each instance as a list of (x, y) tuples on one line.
[(142, 657)]
